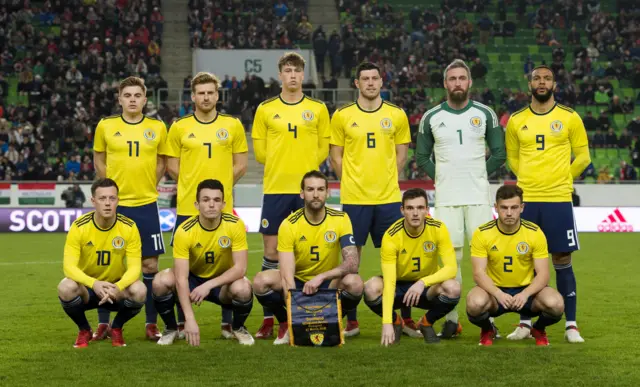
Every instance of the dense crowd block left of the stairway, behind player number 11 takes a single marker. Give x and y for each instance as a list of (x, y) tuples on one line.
[(68, 57)]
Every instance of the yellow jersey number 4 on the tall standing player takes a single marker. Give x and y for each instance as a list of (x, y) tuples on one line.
[(293, 133)]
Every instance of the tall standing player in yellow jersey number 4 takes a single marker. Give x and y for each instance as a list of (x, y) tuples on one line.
[(290, 137)]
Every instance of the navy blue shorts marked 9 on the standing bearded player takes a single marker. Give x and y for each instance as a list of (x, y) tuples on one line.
[(557, 223)]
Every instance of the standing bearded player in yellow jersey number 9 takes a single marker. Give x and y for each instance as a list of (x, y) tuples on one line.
[(540, 140)]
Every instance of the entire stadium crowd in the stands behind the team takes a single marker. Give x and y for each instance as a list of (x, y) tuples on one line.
[(68, 56)]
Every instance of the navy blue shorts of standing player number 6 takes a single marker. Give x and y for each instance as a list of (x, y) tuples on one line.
[(371, 219)]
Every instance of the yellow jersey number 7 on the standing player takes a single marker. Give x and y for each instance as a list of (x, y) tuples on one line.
[(205, 151)]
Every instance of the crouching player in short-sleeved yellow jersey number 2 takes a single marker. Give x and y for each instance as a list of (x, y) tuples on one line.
[(505, 253)]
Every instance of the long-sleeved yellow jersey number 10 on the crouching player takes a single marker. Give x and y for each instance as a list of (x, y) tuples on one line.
[(93, 254)]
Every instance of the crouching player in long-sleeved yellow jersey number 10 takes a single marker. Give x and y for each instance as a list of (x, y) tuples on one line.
[(111, 279)]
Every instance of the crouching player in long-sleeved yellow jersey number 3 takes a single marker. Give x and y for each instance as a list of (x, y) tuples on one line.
[(410, 272)]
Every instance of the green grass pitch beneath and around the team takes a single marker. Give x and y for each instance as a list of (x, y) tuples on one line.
[(36, 336)]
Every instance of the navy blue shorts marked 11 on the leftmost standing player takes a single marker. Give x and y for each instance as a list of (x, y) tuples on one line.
[(148, 221)]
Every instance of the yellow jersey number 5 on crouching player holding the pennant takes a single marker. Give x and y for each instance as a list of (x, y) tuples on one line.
[(316, 247)]
